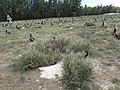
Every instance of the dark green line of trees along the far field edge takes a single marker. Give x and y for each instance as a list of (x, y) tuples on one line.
[(34, 9)]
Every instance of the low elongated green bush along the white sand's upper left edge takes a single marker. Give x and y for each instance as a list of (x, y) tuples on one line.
[(34, 59)]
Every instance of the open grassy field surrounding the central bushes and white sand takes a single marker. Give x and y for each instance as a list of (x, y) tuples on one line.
[(105, 52)]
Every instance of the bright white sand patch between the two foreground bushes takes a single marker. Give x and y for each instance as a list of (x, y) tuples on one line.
[(50, 72)]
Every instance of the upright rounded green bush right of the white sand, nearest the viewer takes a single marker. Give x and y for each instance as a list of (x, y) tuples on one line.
[(77, 72)]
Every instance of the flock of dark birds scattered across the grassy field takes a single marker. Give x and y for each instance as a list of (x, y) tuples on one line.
[(32, 39)]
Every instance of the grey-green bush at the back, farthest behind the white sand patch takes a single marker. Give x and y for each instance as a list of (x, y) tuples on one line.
[(59, 44)]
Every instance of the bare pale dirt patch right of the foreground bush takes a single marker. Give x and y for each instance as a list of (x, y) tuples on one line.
[(103, 74)]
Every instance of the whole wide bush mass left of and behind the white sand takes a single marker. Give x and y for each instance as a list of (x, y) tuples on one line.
[(42, 53)]
